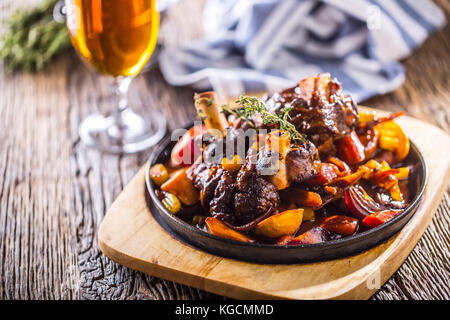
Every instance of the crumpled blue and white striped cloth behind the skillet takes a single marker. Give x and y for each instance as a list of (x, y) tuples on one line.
[(268, 45)]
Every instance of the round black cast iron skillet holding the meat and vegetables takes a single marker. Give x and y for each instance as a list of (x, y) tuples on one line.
[(275, 254)]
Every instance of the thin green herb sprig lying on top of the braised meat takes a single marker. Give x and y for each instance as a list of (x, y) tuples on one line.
[(252, 105)]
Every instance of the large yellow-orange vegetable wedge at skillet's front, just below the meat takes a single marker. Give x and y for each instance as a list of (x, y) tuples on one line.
[(280, 224)]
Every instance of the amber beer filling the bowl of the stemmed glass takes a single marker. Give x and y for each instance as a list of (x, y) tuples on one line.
[(116, 36)]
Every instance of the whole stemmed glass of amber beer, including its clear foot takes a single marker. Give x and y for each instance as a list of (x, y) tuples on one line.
[(117, 37)]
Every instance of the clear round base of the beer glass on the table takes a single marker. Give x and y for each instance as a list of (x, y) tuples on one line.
[(126, 133)]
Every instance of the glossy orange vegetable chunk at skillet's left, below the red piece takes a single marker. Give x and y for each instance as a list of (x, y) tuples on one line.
[(180, 185)]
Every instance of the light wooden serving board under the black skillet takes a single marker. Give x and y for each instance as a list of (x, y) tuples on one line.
[(131, 236)]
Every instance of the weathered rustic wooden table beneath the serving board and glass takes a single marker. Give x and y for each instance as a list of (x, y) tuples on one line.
[(54, 192)]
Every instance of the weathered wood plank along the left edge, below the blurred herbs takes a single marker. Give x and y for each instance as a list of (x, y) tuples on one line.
[(35, 211)]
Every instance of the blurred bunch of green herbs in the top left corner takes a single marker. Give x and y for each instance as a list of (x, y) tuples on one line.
[(33, 38)]
